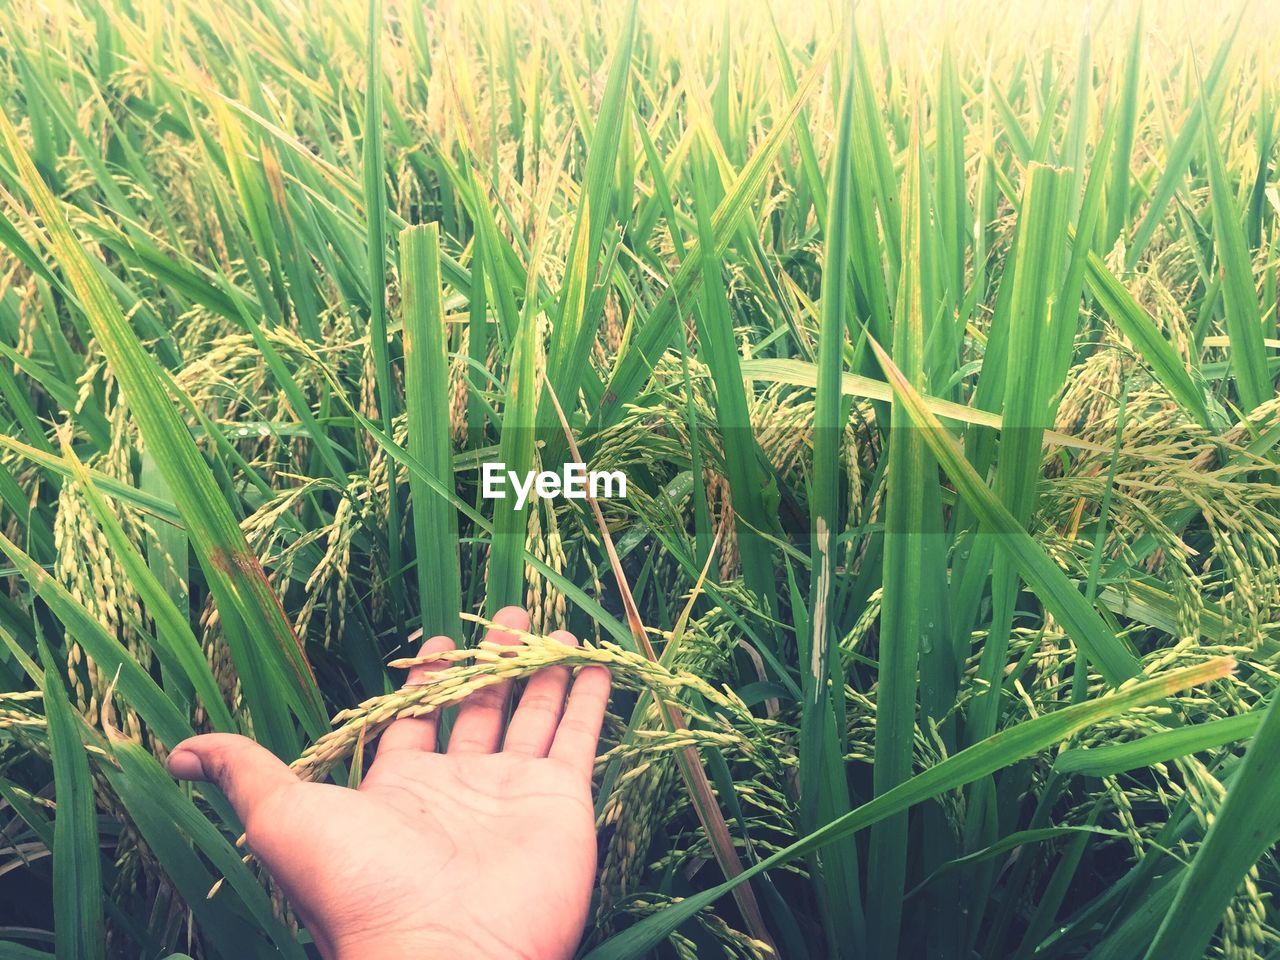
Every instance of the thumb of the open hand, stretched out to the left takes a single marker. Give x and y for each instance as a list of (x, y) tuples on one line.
[(246, 772)]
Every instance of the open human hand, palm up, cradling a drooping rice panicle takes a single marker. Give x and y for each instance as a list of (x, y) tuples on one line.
[(478, 852)]
